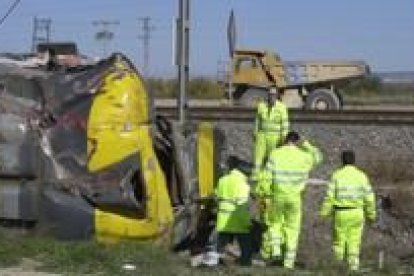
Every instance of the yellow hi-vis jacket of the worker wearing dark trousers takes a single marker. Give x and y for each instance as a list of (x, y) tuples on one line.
[(232, 193)]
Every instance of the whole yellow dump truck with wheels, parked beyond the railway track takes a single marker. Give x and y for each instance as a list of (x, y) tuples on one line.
[(315, 83)]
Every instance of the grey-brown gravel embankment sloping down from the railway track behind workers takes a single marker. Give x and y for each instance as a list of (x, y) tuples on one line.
[(386, 152)]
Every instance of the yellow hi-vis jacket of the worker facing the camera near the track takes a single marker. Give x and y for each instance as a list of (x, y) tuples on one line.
[(272, 120)]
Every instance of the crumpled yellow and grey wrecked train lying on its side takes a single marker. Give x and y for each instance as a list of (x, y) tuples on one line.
[(83, 155)]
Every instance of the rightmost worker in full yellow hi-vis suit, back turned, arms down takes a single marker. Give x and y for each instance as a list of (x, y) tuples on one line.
[(349, 199)]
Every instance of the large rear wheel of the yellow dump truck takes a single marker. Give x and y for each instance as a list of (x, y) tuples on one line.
[(322, 99)]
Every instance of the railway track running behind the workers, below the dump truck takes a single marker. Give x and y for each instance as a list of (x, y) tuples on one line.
[(243, 114)]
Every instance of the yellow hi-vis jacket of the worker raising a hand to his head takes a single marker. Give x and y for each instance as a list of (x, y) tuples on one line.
[(289, 167)]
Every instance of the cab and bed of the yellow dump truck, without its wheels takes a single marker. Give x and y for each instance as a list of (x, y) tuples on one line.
[(264, 69)]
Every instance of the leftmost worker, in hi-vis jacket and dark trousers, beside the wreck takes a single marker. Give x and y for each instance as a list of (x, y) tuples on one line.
[(233, 212)]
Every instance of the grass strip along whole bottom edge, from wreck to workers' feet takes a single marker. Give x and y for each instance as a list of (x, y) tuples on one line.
[(91, 258)]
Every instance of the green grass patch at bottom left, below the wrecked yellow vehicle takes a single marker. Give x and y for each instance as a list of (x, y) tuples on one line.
[(87, 257)]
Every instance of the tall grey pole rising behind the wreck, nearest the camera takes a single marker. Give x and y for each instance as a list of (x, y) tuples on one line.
[(183, 43)]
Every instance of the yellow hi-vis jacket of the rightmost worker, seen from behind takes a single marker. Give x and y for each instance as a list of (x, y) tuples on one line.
[(349, 188)]
